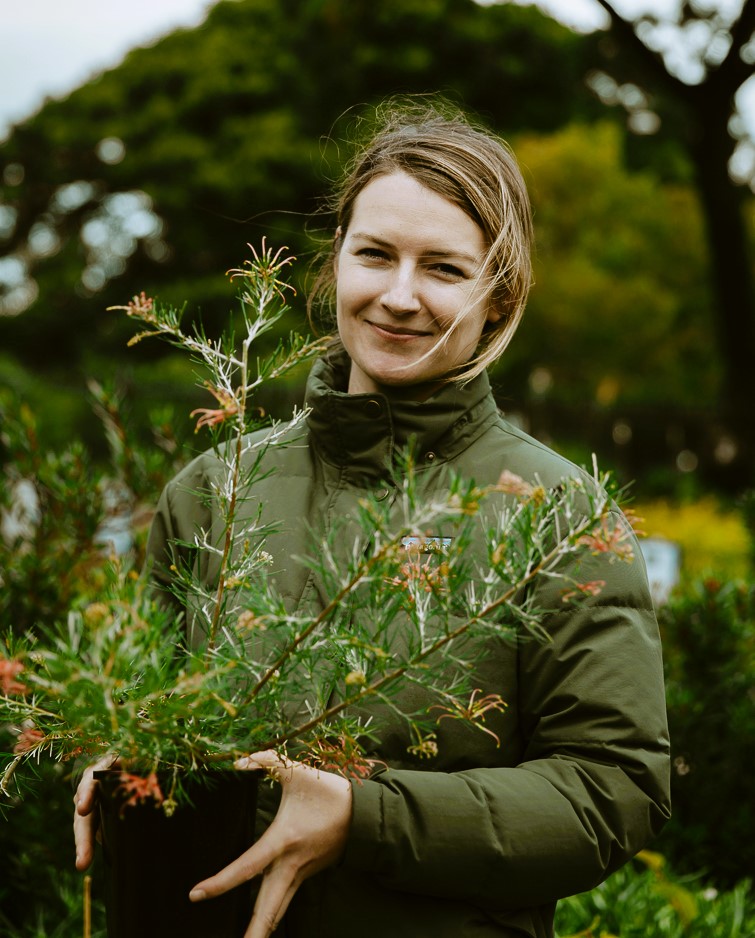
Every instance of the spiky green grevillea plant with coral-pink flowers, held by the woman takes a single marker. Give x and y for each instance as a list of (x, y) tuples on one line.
[(401, 602)]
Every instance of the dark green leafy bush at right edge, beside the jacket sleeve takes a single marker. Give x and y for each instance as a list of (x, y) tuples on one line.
[(708, 629)]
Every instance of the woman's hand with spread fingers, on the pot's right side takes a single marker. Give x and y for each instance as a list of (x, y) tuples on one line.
[(308, 833)]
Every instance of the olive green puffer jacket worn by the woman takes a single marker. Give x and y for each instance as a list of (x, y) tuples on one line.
[(482, 840)]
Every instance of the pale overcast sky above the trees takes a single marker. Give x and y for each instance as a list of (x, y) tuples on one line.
[(50, 47)]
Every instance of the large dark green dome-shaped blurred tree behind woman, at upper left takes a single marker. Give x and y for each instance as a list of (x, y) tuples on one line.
[(154, 175)]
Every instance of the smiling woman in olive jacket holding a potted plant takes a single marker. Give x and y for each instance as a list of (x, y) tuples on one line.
[(430, 270)]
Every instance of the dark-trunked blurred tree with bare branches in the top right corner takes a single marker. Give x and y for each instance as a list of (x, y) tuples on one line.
[(681, 76)]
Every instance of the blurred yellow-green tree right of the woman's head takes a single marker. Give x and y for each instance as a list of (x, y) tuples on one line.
[(621, 280)]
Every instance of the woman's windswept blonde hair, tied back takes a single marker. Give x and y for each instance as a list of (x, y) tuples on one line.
[(440, 147)]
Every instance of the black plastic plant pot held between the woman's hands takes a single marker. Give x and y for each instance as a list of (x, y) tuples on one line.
[(152, 861)]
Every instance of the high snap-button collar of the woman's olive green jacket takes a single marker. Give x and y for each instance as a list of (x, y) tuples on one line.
[(363, 433)]
